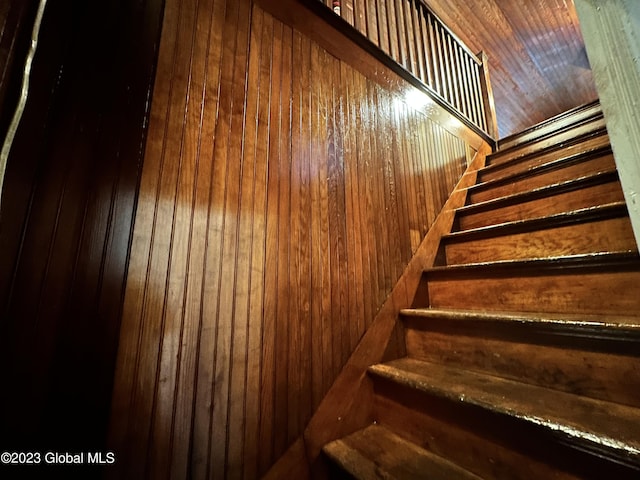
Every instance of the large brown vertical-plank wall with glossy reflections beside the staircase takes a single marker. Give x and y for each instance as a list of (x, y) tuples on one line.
[(283, 193)]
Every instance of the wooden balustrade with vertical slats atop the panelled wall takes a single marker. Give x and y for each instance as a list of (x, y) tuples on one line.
[(415, 38)]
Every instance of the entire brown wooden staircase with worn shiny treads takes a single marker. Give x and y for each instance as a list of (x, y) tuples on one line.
[(523, 344)]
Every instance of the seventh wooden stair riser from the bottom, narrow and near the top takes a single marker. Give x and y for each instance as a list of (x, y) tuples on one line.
[(522, 164)]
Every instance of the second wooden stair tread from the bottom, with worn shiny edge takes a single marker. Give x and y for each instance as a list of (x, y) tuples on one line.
[(594, 425)]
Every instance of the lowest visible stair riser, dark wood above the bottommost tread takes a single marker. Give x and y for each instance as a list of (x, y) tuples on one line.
[(487, 444)]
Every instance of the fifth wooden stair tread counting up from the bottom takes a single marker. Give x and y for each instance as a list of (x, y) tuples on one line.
[(611, 210)]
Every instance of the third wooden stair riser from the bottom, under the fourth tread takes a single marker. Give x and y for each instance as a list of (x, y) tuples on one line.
[(578, 284)]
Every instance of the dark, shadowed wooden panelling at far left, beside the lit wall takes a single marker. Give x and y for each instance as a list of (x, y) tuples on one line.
[(67, 215)]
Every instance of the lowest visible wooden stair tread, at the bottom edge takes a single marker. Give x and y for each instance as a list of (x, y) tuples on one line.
[(377, 453)]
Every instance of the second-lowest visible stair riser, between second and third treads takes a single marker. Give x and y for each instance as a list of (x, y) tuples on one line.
[(552, 362)]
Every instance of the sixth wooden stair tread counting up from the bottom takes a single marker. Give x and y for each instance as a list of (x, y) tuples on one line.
[(548, 190)]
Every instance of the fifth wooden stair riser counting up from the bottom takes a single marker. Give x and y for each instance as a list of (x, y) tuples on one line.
[(590, 196)]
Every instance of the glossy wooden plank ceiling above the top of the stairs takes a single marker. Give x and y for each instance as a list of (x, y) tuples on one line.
[(536, 54)]
